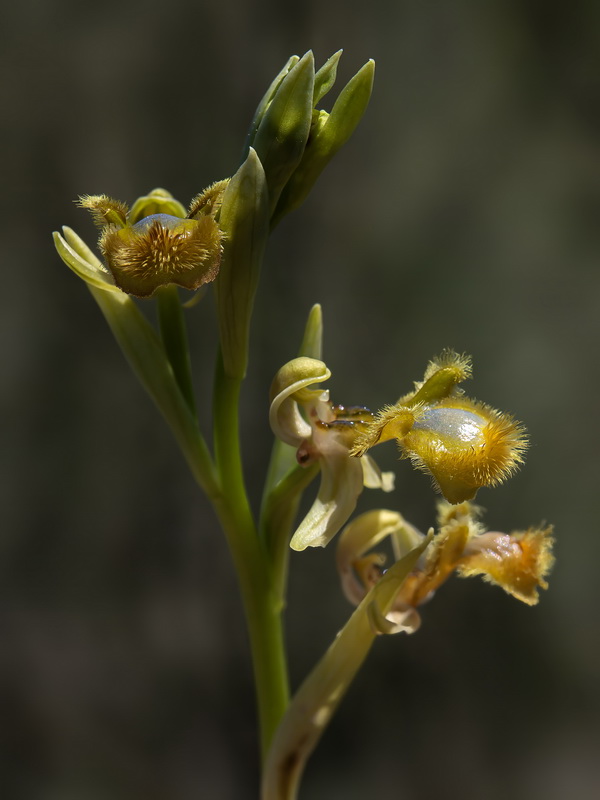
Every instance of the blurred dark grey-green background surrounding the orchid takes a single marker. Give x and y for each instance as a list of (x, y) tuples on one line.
[(463, 213)]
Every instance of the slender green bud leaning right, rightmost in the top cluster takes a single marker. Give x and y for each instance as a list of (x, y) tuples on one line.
[(327, 136)]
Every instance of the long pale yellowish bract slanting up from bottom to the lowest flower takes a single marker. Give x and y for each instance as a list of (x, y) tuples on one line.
[(319, 696)]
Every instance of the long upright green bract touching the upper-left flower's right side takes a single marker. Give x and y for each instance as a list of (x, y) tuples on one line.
[(245, 221)]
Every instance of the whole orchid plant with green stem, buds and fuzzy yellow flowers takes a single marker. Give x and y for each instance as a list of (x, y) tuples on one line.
[(158, 250)]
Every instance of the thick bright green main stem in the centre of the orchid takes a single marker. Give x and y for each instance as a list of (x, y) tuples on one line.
[(263, 612)]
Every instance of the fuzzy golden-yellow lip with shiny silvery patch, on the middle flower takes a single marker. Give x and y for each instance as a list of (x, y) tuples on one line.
[(462, 443)]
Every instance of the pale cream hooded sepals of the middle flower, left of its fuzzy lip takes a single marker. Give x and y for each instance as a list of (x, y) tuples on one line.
[(303, 416)]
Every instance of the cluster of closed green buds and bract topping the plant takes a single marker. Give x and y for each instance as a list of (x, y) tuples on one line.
[(289, 143)]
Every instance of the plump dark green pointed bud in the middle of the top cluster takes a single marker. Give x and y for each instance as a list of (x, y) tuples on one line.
[(283, 130)]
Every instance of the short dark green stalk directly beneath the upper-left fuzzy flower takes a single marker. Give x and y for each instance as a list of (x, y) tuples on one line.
[(174, 336)]
